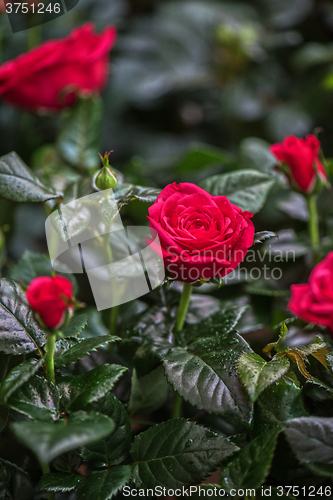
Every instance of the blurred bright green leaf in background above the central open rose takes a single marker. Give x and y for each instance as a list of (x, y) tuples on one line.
[(201, 156)]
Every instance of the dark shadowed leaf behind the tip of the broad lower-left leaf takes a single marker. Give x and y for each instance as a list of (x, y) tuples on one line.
[(115, 448)]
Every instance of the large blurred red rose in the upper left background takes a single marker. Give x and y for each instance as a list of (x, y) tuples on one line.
[(49, 76)]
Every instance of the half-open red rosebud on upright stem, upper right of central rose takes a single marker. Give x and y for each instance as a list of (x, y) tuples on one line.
[(301, 162)]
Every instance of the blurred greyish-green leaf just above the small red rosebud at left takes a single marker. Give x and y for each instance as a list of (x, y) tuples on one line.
[(34, 264)]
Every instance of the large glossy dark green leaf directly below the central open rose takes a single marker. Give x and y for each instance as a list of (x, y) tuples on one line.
[(206, 375)]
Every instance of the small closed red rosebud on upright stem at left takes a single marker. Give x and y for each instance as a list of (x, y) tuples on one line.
[(51, 298)]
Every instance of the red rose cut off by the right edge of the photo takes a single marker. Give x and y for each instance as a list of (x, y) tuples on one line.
[(313, 301)]
